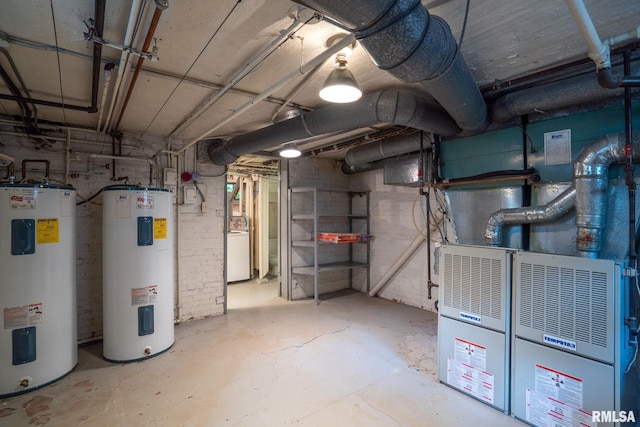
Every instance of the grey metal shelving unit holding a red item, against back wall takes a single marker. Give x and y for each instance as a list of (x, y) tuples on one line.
[(308, 216)]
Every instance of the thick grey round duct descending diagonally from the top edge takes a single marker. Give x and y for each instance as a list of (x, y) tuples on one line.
[(402, 38)]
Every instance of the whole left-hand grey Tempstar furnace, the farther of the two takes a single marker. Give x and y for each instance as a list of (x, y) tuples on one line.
[(474, 322)]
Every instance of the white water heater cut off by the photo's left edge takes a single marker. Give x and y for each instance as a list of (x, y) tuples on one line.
[(38, 334)]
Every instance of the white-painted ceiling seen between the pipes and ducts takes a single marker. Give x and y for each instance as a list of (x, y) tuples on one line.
[(202, 44)]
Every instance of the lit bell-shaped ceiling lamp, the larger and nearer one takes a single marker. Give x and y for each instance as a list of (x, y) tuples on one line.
[(341, 86)]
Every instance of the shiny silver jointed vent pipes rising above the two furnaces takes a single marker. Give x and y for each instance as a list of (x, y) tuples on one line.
[(588, 195)]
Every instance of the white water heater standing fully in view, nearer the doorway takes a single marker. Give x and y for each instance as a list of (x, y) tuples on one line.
[(138, 273)]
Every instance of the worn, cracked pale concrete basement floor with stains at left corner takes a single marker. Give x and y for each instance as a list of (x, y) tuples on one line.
[(353, 360)]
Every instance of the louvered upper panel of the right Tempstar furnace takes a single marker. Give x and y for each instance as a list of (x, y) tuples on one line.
[(566, 302)]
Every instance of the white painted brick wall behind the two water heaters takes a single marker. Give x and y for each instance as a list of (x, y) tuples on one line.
[(200, 266)]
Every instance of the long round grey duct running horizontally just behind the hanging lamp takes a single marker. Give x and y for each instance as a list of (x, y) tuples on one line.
[(384, 107)]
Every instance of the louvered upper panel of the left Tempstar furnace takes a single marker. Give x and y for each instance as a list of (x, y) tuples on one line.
[(474, 284)]
